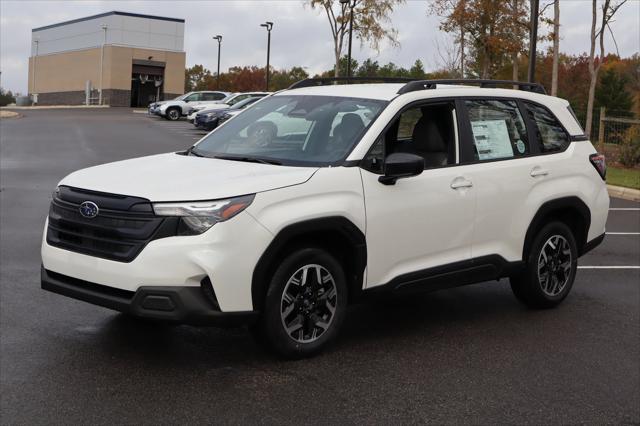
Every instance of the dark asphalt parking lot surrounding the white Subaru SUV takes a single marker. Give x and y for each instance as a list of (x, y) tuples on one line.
[(470, 355)]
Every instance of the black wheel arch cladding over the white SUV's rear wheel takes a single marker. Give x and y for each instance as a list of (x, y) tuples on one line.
[(572, 211)]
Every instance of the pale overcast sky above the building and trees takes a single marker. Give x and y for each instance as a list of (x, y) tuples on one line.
[(300, 36)]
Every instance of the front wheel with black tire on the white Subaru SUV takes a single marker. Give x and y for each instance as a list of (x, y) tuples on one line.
[(303, 314)]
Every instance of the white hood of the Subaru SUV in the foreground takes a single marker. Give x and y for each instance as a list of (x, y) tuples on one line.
[(175, 177)]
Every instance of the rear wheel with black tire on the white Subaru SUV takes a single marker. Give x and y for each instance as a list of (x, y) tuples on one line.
[(550, 269)]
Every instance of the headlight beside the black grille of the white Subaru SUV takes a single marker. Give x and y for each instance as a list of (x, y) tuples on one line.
[(198, 216)]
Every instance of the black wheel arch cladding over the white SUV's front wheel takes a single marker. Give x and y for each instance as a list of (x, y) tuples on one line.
[(336, 234)]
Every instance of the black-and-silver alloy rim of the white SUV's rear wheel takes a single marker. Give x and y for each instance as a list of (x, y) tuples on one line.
[(554, 265)]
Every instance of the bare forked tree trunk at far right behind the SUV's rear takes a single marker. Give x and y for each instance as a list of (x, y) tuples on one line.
[(609, 9)]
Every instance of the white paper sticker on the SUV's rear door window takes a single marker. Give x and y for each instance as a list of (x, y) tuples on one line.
[(492, 139)]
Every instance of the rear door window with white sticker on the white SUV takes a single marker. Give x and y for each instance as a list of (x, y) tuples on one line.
[(498, 129)]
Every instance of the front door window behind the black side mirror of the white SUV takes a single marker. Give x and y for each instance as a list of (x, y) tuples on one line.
[(427, 131)]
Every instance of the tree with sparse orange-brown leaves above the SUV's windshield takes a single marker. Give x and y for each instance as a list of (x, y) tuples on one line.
[(368, 19)]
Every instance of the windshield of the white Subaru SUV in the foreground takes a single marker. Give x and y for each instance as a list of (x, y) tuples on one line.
[(293, 130)]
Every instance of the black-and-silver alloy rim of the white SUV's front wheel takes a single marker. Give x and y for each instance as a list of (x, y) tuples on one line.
[(308, 303)]
